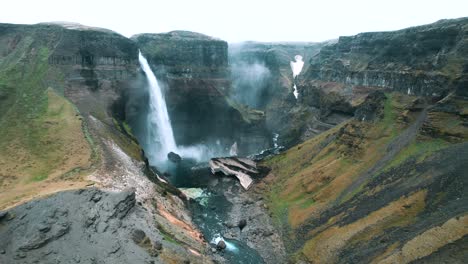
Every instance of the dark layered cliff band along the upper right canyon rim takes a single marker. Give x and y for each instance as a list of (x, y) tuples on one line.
[(427, 60)]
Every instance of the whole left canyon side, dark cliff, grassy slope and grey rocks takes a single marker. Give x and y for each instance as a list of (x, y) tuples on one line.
[(63, 93)]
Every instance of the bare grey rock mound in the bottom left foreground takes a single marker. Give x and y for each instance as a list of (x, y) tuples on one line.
[(68, 225)]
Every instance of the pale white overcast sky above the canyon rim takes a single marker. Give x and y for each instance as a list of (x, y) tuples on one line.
[(238, 20)]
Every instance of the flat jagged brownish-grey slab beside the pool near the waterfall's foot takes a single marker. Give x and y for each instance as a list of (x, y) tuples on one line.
[(242, 168)]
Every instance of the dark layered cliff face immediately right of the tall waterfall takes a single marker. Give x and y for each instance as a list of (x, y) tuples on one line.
[(193, 68)]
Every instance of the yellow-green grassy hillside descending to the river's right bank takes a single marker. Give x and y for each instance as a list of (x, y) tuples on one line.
[(308, 179)]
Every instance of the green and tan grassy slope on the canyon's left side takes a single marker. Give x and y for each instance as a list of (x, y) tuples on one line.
[(41, 135)]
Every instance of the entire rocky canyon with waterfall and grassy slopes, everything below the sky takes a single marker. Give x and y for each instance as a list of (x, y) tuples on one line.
[(180, 147)]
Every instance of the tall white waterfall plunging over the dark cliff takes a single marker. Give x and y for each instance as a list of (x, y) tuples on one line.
[(160, 137)]
